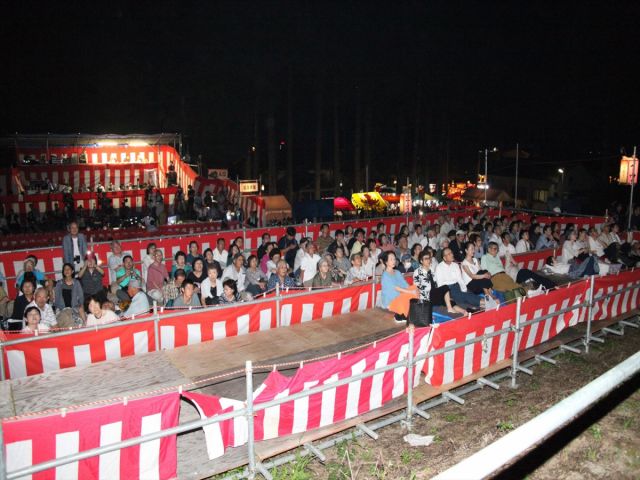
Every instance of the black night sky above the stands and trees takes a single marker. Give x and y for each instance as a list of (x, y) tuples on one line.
[(560, 78)]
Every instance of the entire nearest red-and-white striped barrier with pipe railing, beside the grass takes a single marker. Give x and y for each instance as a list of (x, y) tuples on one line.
[(327, 395)]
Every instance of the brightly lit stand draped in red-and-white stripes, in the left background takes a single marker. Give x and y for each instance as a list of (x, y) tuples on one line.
[(120, 164)]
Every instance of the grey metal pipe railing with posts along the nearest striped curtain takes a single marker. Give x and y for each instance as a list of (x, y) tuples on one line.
[(250, 408)]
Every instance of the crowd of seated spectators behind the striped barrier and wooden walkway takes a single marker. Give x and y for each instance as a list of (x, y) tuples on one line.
[(459, 265)]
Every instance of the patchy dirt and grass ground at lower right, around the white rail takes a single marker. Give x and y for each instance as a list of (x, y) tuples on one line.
[(605, 442)]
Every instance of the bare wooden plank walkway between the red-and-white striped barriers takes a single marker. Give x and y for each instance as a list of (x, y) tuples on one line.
[(130, 375)]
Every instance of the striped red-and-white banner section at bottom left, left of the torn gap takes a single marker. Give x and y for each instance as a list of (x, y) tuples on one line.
[(29, 441)]
